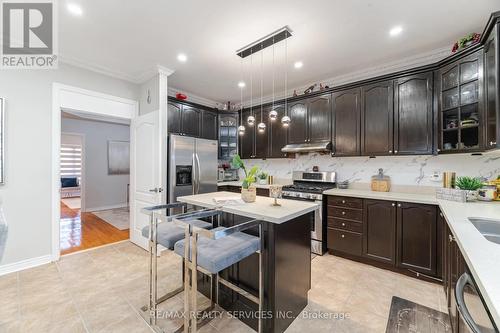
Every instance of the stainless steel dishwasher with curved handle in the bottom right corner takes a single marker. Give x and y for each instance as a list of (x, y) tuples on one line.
[(474, 315)]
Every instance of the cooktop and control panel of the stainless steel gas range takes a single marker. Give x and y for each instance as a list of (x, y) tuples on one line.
[(309, 185)]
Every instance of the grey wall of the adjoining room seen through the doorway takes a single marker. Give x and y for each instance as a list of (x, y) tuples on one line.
[(101, 190)]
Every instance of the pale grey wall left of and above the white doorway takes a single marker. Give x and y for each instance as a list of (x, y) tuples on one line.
[(26, 195)]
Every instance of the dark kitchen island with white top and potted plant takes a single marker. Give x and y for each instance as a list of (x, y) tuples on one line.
[(287, 259)]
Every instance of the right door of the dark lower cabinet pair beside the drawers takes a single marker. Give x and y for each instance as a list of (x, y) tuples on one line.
[(417, 237)]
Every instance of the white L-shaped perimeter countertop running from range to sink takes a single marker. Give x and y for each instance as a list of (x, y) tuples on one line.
[(481, 255)]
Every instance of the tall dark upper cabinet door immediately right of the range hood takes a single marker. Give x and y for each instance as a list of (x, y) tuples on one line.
[(346, 123)]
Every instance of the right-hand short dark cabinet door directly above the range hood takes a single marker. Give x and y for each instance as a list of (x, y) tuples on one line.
[(319, 118)]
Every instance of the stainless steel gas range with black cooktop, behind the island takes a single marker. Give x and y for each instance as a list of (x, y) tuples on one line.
[(309, 186)]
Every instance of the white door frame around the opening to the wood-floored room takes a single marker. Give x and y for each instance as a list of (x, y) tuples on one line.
[(87, 101)]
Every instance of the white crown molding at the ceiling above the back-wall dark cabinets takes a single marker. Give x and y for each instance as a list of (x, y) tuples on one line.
[(414, 61)]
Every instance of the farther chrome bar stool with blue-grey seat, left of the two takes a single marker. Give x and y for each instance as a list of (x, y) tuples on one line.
[(166, 234)]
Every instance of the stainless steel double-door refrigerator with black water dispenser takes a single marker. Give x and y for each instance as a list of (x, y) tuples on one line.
[(192, 166)]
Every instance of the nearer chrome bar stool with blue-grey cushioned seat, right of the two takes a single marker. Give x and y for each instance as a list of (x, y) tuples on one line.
[(210, 252)]
